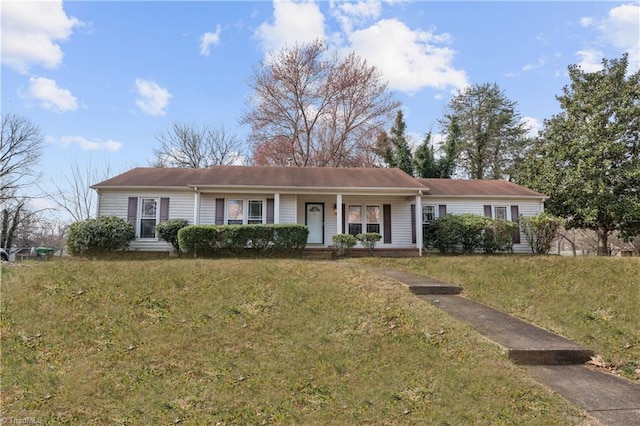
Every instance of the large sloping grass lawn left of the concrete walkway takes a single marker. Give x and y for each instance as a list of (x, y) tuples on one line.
[(247, 342)]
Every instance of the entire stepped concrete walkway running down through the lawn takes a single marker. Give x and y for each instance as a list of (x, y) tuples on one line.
[(552, 360)]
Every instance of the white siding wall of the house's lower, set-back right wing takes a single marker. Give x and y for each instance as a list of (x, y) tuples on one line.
[(526, 206)]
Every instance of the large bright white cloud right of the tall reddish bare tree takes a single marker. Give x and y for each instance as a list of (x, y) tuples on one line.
[(409, 59)]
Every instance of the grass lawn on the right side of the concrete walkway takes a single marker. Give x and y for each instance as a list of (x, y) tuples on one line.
[(591, 300)]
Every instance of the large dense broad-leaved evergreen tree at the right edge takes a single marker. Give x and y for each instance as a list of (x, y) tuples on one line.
[(587, 159)]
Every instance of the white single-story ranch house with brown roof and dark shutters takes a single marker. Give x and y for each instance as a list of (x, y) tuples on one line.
[(328, 200)]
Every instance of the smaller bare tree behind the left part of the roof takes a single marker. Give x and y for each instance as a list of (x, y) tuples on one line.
[(192, 146)]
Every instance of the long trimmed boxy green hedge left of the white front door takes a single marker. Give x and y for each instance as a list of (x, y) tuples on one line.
[(216, 240)]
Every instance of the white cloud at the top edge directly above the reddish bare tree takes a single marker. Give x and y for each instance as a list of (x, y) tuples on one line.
[(294, 22)]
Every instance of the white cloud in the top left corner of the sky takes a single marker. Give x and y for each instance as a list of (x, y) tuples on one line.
[(31, 32)]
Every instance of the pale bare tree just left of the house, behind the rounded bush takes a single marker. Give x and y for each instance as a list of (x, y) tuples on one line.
[(74, 195)]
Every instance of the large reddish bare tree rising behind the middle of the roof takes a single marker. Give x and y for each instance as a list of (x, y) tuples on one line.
[(314, 108)]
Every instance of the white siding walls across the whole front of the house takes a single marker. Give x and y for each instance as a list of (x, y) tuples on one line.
[(293, 210)]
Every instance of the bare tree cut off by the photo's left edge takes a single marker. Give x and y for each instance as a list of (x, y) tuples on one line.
[(20, 151)]
